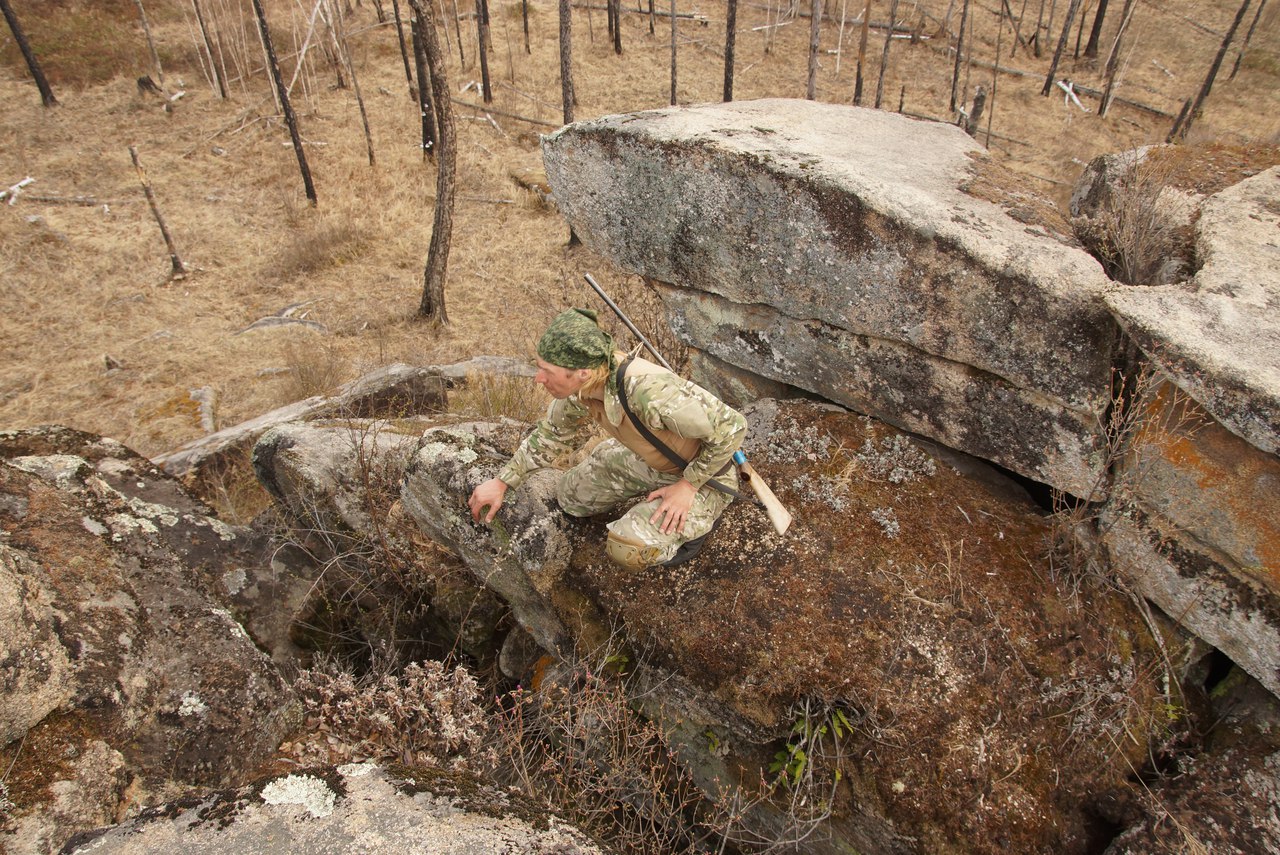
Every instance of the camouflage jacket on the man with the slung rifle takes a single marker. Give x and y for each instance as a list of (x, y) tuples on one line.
[(679, 412)]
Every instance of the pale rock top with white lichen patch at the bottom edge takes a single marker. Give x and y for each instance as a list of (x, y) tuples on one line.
[(355, 810)]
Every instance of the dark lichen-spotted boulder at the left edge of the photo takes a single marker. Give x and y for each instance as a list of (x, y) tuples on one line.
[(124, 666)]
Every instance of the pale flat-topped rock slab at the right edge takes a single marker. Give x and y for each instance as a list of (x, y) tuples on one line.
[(1219, 337)]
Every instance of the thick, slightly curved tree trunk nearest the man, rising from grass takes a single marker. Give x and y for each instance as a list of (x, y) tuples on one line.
[(432, 308)]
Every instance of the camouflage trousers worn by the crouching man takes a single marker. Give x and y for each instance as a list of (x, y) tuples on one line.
[(614, 474)]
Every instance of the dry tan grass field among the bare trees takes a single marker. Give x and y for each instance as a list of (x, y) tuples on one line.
[(97, 337)]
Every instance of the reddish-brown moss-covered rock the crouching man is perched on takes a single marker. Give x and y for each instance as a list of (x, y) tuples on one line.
[(904, 597)]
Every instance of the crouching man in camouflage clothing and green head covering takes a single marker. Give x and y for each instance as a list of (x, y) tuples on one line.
[(579, 367)]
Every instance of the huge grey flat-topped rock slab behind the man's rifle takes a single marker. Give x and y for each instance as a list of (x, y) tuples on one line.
[(857, 221)]
